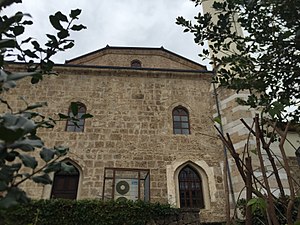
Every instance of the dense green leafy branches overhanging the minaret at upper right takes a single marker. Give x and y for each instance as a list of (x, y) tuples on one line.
[(265, 61)]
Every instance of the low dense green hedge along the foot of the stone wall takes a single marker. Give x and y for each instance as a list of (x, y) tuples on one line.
[(89, 212)]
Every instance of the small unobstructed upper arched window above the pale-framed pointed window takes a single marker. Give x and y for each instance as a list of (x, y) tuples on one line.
[(180, 120)]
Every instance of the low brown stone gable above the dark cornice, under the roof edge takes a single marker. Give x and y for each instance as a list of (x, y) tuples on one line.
[(124, 56)]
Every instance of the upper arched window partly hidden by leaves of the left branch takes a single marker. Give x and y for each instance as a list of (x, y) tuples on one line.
[(79, 125)]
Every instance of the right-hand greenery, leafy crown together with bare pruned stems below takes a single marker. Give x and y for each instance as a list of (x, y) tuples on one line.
[(255, 46)]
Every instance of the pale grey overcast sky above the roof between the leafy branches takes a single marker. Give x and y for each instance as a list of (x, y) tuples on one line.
[(138, 23)]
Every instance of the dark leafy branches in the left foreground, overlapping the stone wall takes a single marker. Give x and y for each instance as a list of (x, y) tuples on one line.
[(18, 129)]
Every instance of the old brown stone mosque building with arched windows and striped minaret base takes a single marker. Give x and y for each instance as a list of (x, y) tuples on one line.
[(152, 136)]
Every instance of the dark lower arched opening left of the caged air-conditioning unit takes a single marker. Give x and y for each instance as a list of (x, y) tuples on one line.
[(65, 185)]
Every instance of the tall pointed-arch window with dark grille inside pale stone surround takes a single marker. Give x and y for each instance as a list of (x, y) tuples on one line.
[(190, 188)]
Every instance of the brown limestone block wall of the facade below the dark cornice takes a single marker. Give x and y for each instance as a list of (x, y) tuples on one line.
[(132, 128)]
